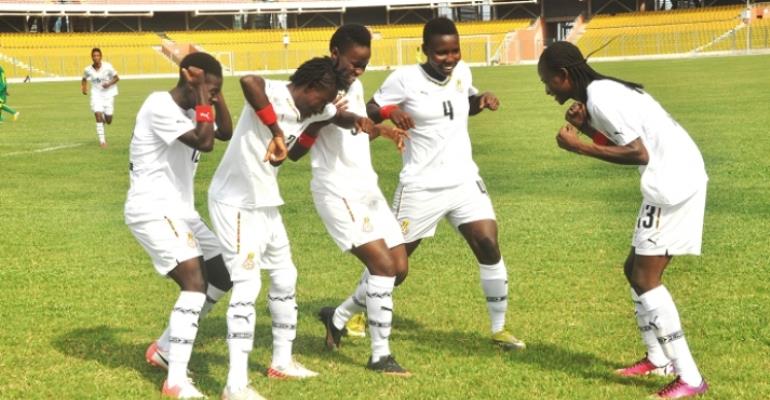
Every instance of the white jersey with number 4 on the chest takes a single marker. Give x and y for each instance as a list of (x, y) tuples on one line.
[(439, 152)]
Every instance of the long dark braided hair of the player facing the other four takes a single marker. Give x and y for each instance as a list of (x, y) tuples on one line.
[(566, 55)]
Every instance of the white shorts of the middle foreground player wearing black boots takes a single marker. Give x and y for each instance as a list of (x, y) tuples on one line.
[(352, 222)]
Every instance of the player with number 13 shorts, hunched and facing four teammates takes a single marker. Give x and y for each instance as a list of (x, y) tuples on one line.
[(629, 127)]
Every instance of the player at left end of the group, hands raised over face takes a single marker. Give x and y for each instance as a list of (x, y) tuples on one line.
[(172, 129)]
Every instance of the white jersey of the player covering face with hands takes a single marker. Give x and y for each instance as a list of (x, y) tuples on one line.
[(161, 167)]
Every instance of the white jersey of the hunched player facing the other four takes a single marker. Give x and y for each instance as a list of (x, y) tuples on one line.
[(675, 170)]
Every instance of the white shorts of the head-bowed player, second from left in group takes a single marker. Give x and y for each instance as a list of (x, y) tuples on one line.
[(252, 239)]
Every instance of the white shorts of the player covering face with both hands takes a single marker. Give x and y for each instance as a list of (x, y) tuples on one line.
[(170, 241)]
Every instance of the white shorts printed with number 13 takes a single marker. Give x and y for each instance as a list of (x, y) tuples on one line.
[(670, 230)]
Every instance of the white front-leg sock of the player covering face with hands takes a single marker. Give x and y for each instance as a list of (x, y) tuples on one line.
[(183, 326)]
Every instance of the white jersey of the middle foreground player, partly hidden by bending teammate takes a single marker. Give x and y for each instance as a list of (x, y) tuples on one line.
[(341, 160)]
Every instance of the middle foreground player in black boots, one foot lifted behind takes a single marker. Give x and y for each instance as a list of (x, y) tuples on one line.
[(352, 207)]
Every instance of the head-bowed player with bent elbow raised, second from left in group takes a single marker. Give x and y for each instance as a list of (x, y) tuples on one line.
[(243, 203)]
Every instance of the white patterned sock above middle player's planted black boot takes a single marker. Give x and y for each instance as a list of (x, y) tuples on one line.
[(379, 308)]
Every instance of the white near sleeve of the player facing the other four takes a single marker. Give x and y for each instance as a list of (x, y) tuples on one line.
[(617, 117)]
